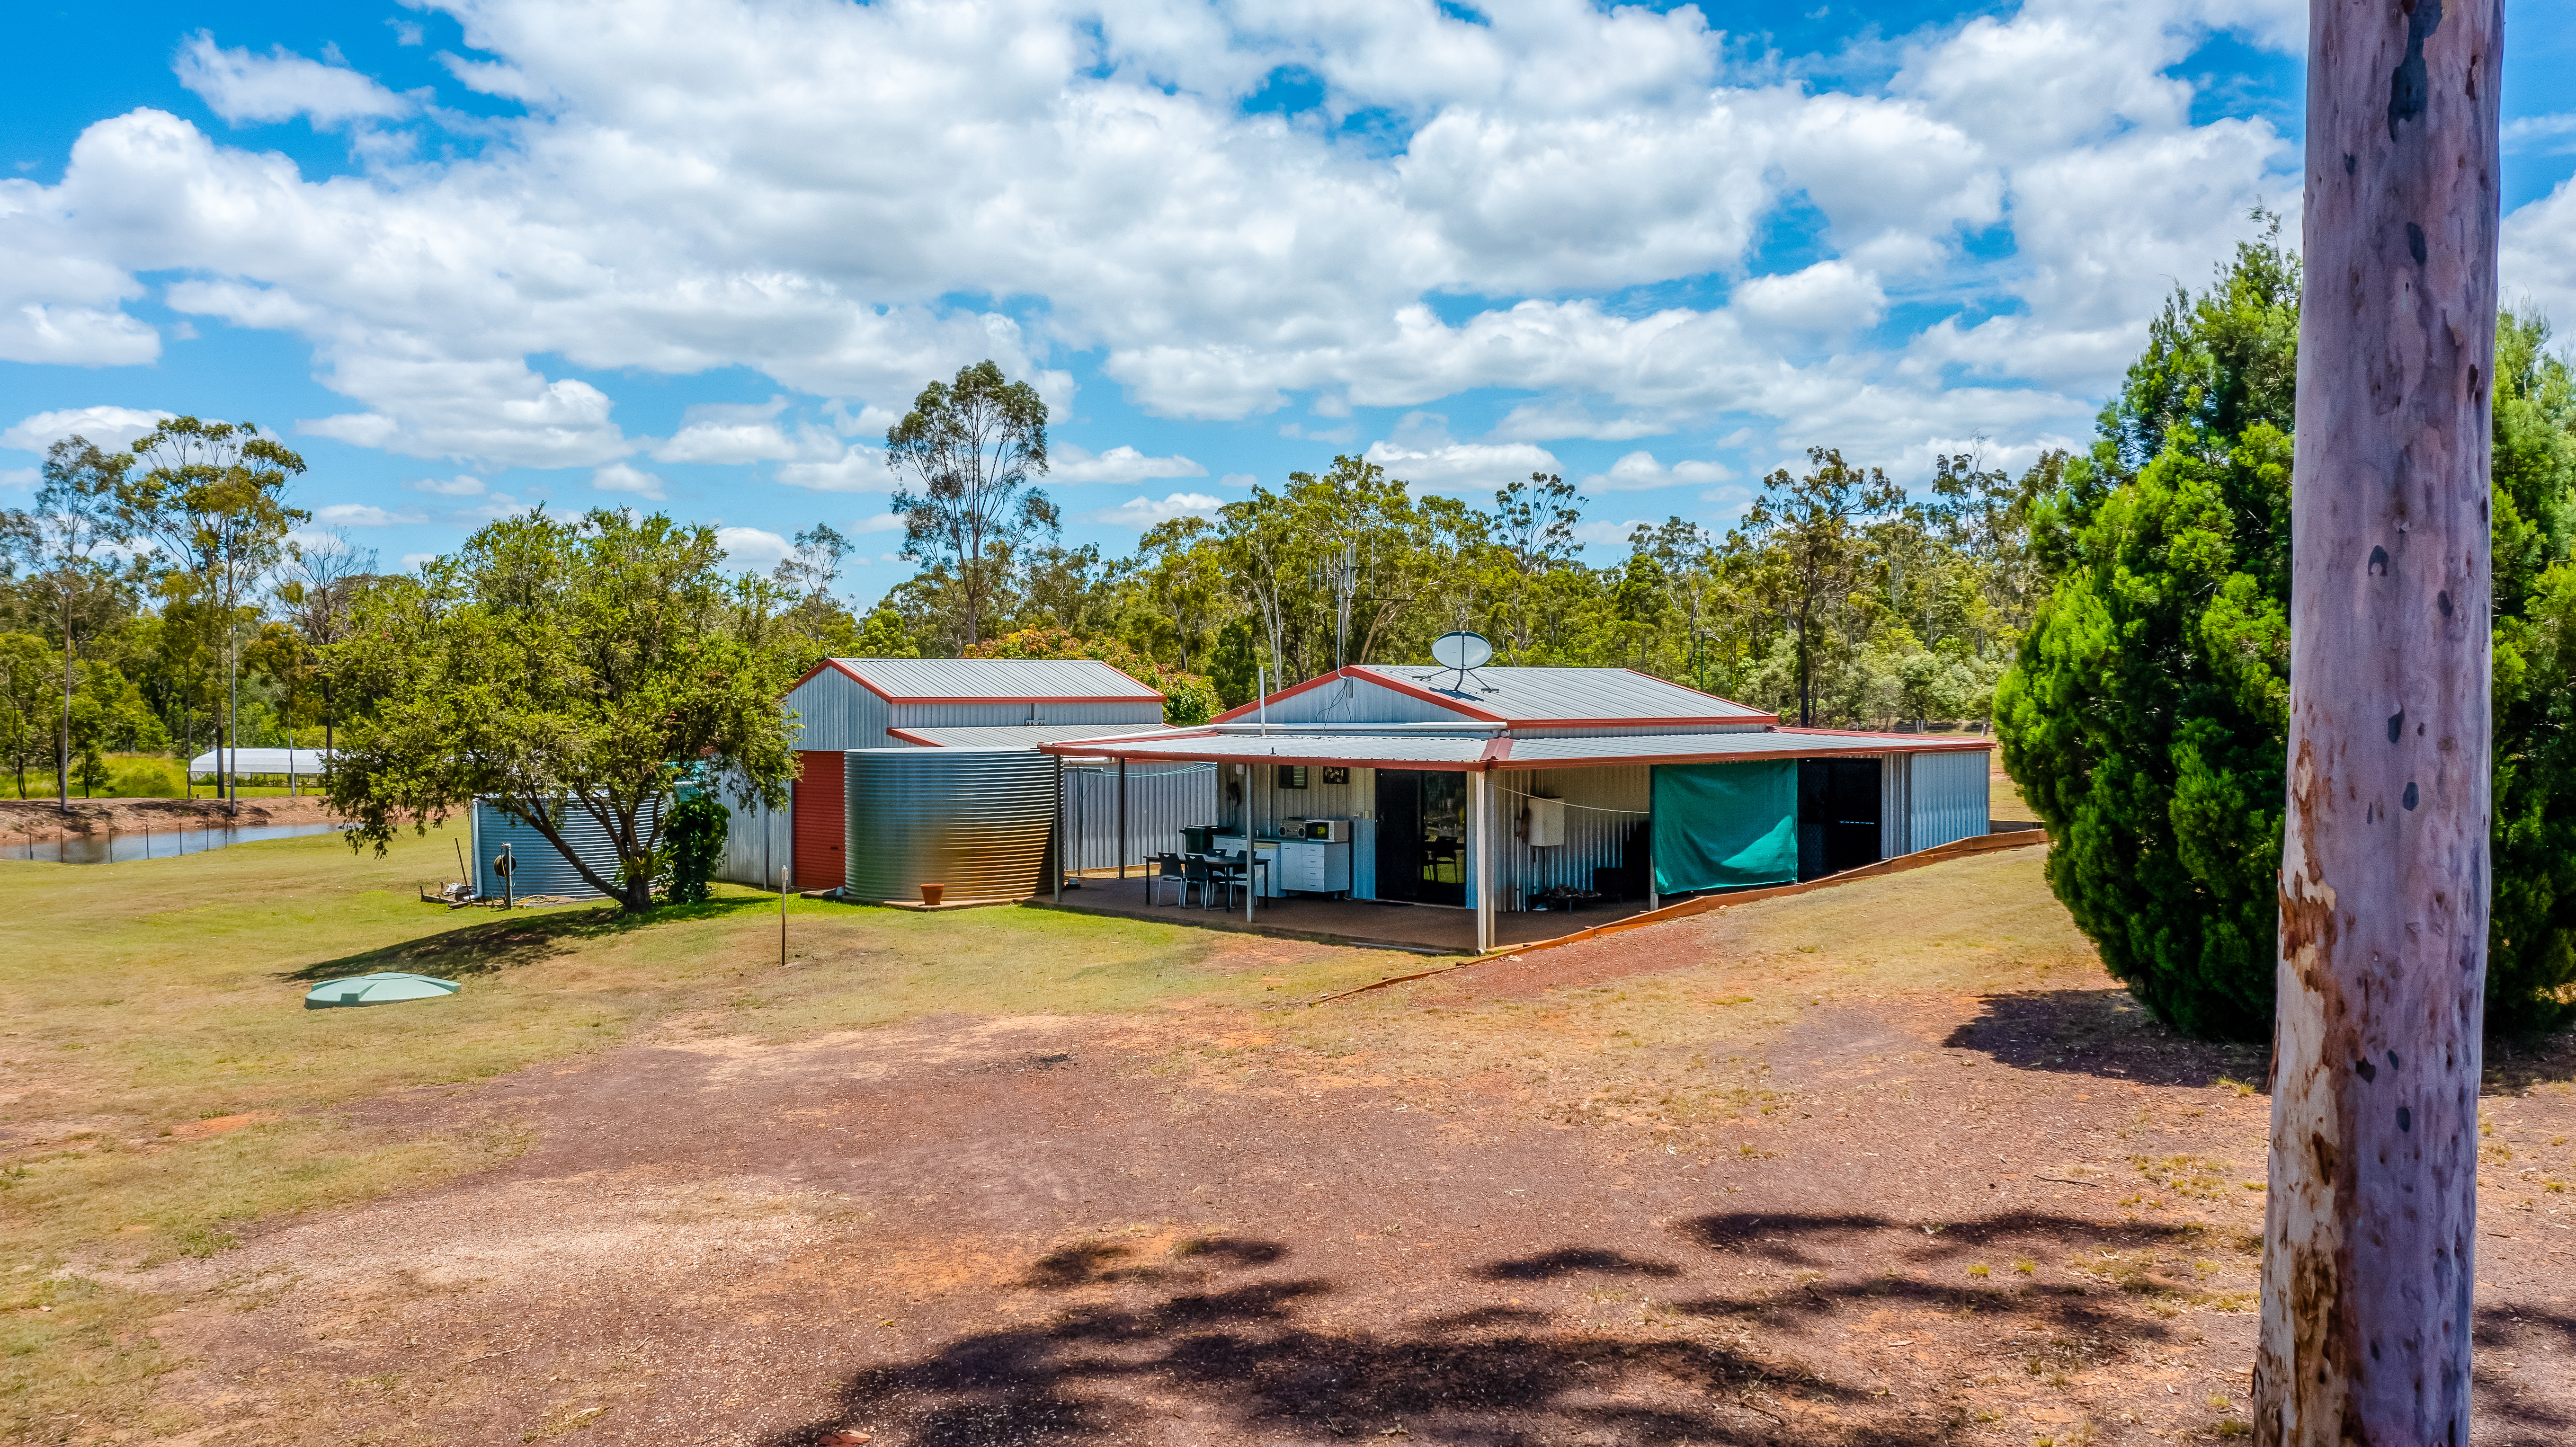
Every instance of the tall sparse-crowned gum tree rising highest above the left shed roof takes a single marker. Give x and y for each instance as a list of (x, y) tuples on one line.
[(970, 449)]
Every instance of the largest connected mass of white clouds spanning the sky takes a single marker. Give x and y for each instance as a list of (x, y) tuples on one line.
[(1217, 264)]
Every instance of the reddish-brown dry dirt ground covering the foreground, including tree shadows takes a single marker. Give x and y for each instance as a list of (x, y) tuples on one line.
[(1503, 1206)]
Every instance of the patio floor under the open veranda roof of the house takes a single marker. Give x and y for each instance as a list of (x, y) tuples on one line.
[(1431, 928)]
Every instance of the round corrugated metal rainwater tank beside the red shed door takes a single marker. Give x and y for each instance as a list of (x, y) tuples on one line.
[(972, 820)]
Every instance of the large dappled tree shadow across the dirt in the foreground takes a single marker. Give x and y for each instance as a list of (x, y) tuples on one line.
[(1282, 1356)]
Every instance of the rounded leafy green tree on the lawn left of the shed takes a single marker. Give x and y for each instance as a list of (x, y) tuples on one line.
[(565, 668)]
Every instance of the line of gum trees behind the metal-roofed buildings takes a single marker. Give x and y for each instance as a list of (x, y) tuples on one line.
[(1835, 601)]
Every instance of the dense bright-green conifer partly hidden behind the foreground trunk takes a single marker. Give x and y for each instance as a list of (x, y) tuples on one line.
[(2147, 709)]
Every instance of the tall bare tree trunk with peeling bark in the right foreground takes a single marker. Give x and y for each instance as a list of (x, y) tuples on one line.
[(2371, 1214)]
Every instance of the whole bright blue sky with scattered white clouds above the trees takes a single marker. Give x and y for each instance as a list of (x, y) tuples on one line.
[(697, 256)]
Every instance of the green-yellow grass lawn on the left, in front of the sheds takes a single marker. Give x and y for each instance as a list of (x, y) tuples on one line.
[(164, 1085)]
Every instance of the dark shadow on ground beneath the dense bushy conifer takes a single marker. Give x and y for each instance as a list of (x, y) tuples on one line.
[(2103, 1034)]
